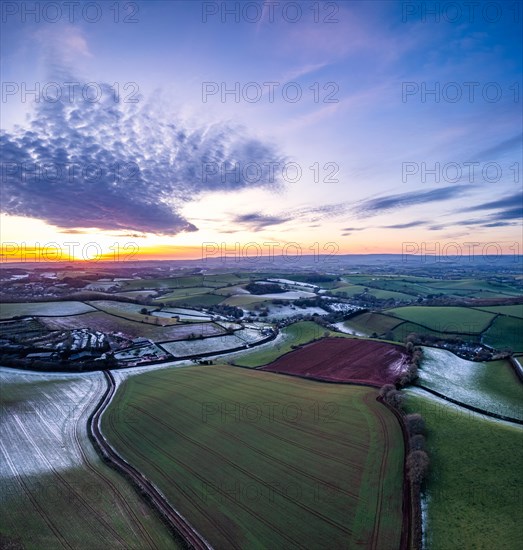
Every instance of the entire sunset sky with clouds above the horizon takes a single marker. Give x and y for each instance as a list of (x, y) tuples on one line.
[(174, 129)]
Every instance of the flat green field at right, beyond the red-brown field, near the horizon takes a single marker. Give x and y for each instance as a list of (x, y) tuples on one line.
[(445, 319)]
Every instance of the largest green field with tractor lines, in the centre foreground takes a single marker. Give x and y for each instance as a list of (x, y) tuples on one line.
[(322, 467)]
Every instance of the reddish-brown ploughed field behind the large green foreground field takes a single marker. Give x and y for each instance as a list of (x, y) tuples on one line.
[(344, 360)]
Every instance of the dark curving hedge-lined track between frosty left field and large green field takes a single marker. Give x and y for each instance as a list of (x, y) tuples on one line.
[(178, 524)]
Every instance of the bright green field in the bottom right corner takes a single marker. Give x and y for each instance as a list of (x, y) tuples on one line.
[(474, 486)]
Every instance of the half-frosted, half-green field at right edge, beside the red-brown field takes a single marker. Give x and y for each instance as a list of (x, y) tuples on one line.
[(491, 386)]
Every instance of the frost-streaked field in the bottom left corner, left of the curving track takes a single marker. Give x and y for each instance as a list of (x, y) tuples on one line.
[(55, 490)]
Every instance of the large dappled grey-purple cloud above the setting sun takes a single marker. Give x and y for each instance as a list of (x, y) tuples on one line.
[(122, 166)]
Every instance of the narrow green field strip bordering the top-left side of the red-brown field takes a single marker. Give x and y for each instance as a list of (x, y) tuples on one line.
[(294, 335)]
